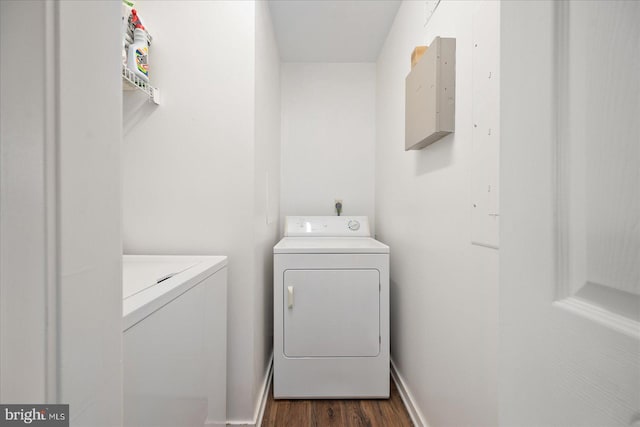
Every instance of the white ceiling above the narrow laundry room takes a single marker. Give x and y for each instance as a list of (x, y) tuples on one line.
[(331, 30)]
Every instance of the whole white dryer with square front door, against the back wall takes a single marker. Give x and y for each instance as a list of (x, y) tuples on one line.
[(331, 310)]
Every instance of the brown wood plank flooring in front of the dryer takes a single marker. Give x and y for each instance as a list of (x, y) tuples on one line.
[(343, 413)]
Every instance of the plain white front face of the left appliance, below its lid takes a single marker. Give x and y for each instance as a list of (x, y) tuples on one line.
[(175, 361)]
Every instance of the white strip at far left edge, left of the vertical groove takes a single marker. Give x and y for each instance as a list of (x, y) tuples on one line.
[(24, 148)]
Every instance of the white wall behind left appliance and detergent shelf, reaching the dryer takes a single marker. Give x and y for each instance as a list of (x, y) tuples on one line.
[(195, 166)]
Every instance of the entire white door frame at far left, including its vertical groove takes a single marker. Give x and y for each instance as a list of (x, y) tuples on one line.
[(60, 257)]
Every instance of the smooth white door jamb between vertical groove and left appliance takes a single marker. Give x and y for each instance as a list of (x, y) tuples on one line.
[(90, 131)]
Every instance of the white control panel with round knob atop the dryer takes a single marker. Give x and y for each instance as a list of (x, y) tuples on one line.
[(326, 226)]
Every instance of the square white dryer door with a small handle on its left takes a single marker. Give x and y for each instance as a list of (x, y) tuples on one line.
[(331, 313)]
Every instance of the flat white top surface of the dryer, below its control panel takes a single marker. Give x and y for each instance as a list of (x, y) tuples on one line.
[(330, 245)]
